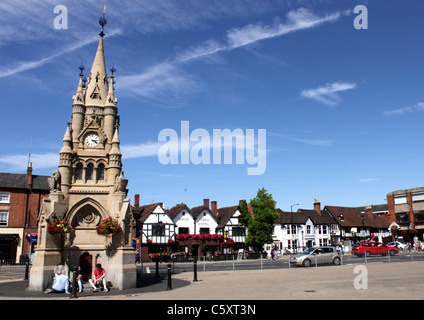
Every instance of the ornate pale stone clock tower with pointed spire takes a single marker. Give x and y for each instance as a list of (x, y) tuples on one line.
[(88, 187)]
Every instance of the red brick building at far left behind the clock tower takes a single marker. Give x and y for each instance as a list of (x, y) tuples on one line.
[(21, 196)]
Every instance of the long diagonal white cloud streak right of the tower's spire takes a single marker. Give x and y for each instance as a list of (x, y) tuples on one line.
[(167, 76)]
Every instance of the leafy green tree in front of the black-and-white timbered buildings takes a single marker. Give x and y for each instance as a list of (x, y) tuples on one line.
[(261, 226)]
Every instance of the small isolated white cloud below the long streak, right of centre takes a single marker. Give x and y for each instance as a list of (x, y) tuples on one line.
[(328, 94)]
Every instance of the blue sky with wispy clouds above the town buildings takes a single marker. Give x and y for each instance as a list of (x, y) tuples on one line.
[(342, 107)]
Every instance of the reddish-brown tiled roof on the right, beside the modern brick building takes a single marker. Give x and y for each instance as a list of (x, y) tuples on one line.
[(352, 218)]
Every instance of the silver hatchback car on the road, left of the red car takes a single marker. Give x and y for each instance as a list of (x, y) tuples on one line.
[(316, 255)]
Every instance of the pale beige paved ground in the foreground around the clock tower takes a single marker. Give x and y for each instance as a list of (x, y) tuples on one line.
[(377, 281)]
